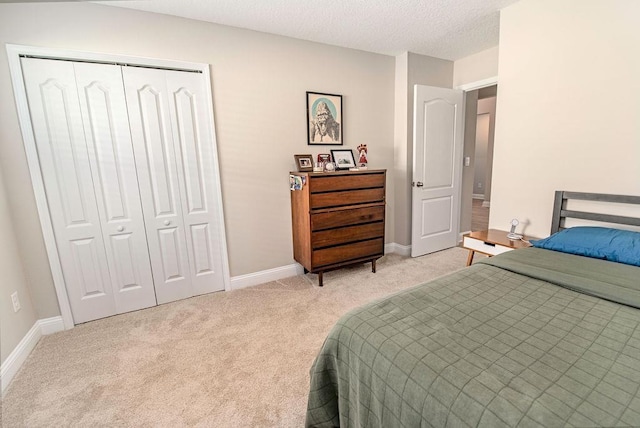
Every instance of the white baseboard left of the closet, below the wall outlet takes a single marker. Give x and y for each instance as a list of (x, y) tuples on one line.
[(18, 356)]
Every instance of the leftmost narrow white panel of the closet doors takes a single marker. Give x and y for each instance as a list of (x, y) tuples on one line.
[(64, 161)]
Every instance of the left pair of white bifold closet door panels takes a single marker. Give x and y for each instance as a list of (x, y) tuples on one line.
[(89, 177)]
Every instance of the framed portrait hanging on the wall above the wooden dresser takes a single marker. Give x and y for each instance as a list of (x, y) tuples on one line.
[(324, 119)]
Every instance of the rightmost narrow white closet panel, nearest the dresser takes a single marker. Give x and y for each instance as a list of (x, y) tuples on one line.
[(194, 148)]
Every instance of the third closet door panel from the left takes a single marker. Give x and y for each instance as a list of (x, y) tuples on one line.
[(148, 106)]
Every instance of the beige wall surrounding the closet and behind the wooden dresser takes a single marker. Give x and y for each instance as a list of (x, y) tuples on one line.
[(259, 83)]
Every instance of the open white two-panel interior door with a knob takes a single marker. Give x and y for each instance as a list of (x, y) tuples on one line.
[(437, 167)]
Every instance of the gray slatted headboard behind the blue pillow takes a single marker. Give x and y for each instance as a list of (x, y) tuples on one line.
[(560, 212)]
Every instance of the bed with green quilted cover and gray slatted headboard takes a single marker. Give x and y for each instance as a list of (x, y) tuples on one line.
[(535, 337)]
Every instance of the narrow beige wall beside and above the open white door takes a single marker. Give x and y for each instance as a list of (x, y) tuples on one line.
[(420, 70)]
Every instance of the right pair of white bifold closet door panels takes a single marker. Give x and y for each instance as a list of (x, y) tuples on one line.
[(173, 142)]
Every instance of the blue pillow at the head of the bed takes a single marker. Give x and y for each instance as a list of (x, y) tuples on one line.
[(622, 246)]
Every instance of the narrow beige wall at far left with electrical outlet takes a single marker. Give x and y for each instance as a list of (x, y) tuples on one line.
[(13, 325)]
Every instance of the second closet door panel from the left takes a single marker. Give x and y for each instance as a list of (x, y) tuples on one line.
[(106, 128)]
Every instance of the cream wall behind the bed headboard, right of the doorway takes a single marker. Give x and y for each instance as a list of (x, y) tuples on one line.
[(568, 106)]
